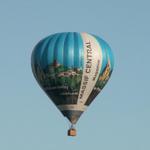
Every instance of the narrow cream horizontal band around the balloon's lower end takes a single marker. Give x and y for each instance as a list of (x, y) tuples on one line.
[(71, 107)]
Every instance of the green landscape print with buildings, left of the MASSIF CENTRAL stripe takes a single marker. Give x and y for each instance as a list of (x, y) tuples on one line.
[(60, 82)]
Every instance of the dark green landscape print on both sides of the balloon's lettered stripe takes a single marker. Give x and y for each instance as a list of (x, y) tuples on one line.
[(61, 82)]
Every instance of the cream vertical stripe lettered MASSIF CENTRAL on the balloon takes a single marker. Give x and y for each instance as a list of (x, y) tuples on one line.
[(91, 69)]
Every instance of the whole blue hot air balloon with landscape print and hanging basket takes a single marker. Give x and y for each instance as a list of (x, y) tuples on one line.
[(72, 68)]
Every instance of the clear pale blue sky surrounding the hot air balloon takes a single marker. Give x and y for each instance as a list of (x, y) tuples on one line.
[(119, 118)]
